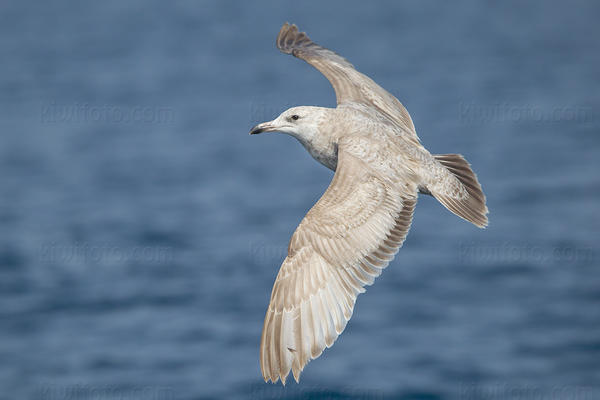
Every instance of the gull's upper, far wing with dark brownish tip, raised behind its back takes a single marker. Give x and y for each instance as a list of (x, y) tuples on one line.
[(350, 85)]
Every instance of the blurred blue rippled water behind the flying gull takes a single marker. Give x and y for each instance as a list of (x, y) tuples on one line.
[(141, 228)]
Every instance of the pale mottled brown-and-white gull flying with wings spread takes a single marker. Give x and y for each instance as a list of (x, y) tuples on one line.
[(356, 228)]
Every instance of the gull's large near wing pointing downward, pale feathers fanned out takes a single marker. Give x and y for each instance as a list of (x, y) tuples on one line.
[(341, 245)]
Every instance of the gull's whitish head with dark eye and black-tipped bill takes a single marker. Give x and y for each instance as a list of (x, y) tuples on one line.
[(300, 122)]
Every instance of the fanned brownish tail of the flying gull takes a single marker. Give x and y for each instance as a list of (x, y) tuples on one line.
[(463, 195)]
